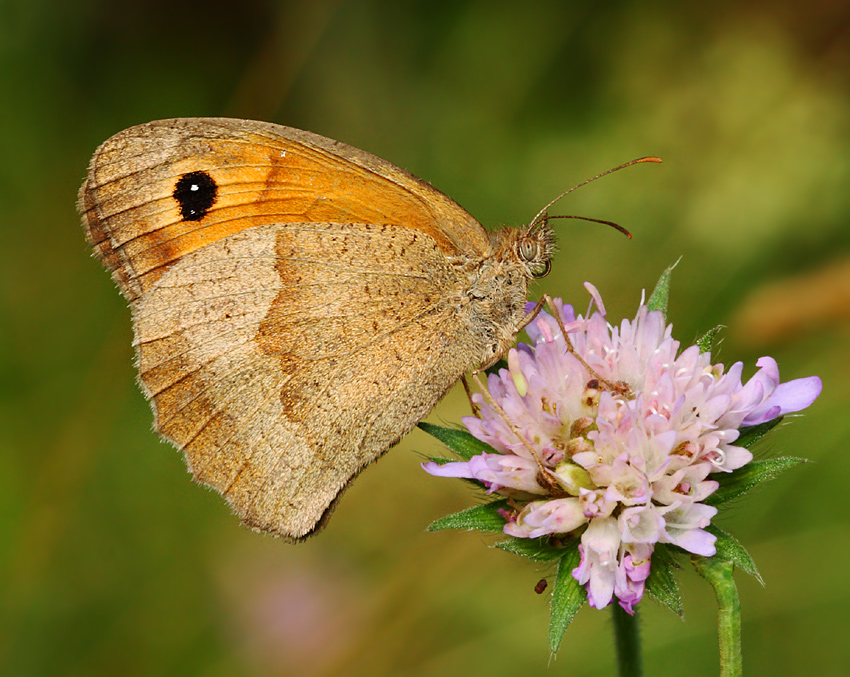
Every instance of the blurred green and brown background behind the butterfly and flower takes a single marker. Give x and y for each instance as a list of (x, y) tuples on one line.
[(113, 562)]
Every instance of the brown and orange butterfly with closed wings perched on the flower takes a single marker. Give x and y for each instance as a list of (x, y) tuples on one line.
[(298, 304)]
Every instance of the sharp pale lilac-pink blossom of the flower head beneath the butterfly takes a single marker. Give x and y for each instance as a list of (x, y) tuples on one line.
[(615, 438)]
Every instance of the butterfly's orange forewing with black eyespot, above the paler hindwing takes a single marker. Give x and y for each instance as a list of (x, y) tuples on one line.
[(136, 216)]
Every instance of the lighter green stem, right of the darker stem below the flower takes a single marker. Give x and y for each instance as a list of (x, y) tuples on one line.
[(719, 574)]
